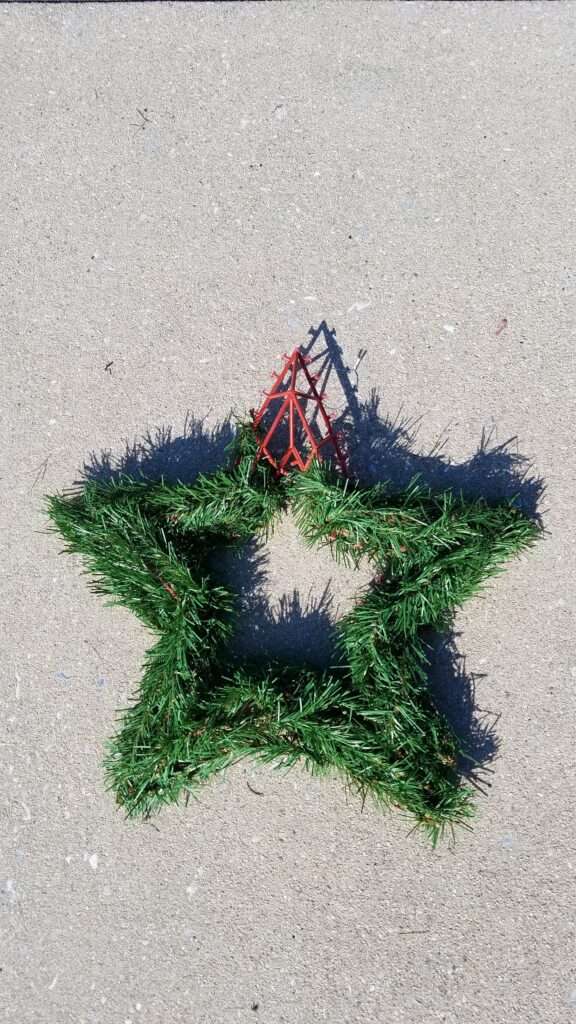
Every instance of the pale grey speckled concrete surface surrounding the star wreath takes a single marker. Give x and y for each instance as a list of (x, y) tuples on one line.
[(404, 172)]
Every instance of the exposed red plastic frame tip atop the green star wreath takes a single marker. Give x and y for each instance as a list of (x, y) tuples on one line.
[(291, 397)]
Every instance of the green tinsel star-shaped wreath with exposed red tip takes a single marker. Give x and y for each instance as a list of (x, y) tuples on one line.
[(372, 716)]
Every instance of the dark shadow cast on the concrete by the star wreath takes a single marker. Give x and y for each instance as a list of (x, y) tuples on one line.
[(381, 449)]
